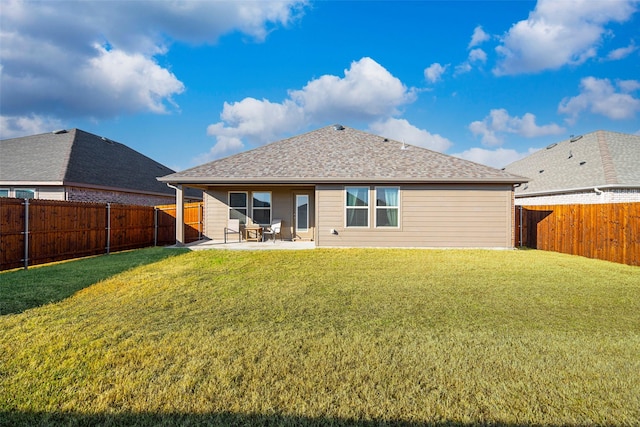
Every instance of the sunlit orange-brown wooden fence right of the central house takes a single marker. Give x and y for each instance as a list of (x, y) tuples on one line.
[(609, 232)]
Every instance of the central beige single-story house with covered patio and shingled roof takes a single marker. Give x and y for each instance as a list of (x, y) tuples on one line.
[(339, 186)]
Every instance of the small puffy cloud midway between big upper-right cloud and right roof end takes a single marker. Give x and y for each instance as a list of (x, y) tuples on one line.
[(499, 122)]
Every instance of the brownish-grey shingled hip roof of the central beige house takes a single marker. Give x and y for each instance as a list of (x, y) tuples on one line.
[(337, 154)]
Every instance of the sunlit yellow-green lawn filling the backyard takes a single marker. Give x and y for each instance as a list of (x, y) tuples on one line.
[(331, 337)]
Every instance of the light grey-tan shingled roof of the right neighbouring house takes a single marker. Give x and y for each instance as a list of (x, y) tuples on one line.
[(599, 159)]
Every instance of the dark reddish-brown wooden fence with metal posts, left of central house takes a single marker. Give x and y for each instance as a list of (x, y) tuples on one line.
[(40, 231)]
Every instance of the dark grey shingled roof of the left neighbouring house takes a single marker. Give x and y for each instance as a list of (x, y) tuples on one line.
[(78, 158)]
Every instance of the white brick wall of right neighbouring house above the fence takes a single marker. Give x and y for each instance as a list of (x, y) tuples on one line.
[(583, 198)]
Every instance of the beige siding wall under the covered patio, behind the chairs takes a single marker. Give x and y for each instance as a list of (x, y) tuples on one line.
[(282, 200)]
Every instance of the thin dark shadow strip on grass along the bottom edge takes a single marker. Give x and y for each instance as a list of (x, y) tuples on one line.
[(214, 419)]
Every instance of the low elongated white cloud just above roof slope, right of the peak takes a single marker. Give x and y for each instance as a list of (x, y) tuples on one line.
[(402, 130)]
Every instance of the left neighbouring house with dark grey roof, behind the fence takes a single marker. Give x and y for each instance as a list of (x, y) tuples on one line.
[(75, 165)]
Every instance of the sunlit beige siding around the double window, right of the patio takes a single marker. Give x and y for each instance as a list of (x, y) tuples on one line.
[(430, 216)]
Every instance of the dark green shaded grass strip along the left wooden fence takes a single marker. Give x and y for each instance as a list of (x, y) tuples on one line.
[(21, 290)]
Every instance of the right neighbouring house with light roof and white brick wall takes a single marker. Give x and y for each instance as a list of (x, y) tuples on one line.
[(598, 167)]
